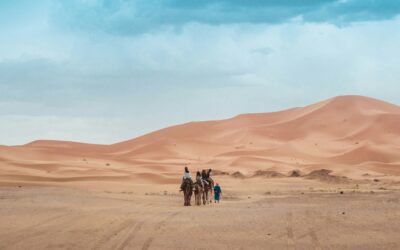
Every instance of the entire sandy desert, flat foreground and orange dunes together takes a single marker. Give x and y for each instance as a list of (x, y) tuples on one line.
[(324, 176)]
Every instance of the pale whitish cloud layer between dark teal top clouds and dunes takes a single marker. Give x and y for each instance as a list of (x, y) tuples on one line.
[(103, 88)]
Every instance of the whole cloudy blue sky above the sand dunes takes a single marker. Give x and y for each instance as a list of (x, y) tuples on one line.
[(104, 71)]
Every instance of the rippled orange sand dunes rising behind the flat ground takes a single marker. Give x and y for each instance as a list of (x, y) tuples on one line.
[(349, 135)]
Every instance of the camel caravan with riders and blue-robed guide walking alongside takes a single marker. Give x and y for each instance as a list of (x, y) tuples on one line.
[(203, 188)]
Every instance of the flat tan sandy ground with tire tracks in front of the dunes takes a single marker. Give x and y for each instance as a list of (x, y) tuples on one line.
[(256, 213)]
